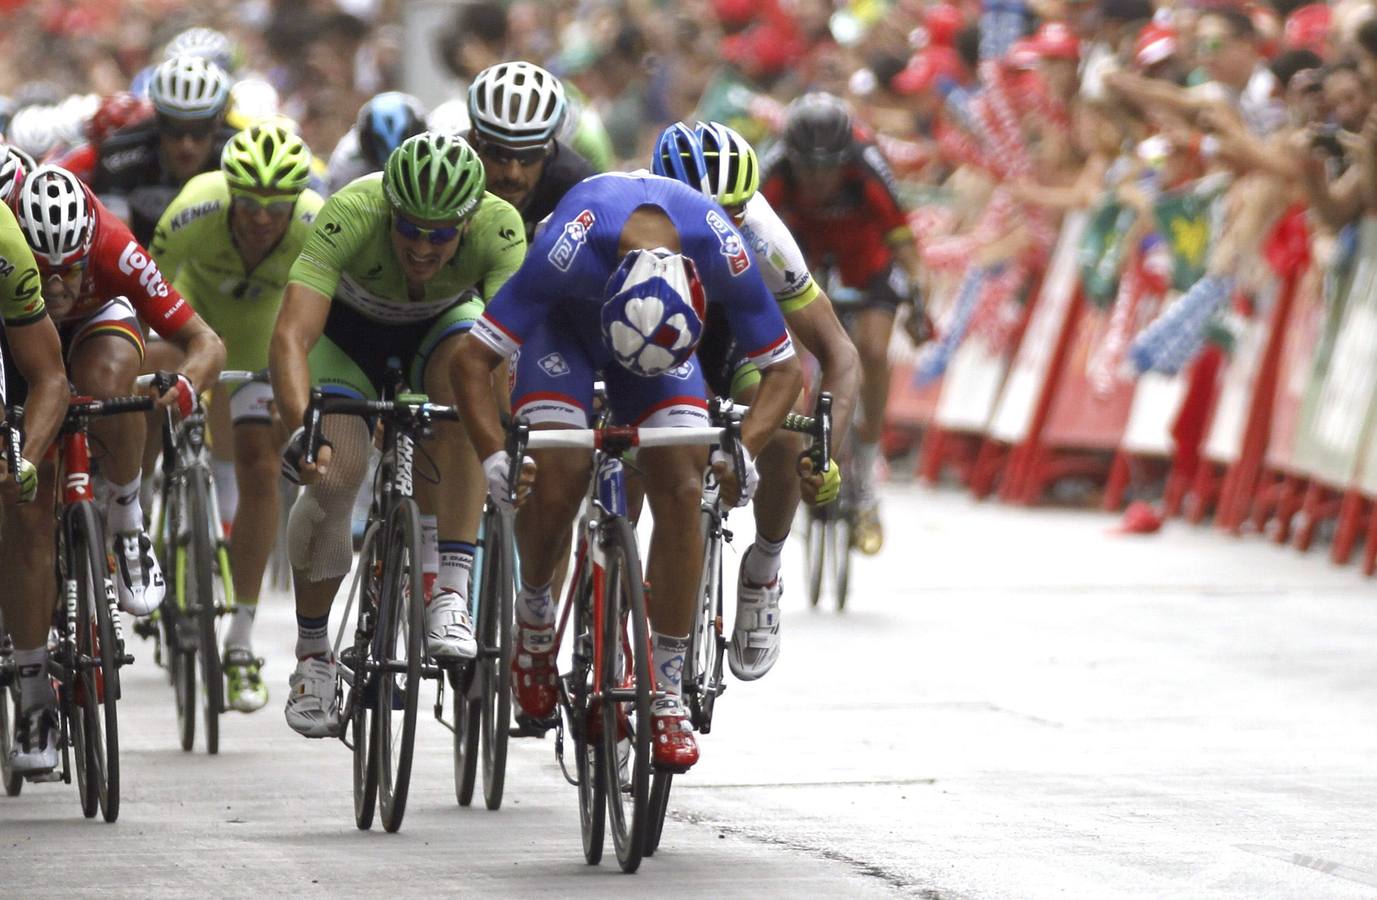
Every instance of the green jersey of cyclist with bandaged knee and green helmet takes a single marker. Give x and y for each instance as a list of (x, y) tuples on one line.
[(350, 257)]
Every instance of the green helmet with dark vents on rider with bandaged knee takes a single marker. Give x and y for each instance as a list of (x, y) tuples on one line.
[(434, 178)]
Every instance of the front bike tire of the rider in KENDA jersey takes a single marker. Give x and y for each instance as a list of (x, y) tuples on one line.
[(202, 590)]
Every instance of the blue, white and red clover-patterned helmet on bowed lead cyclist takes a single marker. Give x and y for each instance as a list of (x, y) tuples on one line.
[(655, 312)]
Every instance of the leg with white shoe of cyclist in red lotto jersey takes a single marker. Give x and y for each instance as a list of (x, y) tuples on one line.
[(105, 357)]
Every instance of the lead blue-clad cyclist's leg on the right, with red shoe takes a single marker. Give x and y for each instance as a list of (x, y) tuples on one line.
[(674, 489)]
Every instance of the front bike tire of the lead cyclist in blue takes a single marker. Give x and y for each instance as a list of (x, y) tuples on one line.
[(626, 674)]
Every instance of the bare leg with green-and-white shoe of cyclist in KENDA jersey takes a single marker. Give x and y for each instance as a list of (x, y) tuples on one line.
[(257, 467)]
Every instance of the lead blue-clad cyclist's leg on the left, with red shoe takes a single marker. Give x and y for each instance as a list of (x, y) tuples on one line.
[(553, 389)]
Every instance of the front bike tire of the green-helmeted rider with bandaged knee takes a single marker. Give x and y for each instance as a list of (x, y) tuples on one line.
[(401, 617)]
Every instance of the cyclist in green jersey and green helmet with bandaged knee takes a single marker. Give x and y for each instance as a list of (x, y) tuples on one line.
[(399, 266)]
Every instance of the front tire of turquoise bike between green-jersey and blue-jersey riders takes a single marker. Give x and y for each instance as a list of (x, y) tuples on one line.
[(495, 658)]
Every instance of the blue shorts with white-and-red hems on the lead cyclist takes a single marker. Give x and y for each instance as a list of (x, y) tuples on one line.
[(553, 382)]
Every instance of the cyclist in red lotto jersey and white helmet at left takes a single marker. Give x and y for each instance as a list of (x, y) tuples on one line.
[(97, 284)]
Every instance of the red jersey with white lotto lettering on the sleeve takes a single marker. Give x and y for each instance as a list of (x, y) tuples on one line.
[(120, 266)]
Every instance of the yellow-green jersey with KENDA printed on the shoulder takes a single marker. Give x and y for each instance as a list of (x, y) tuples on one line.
[(195, 248)]
